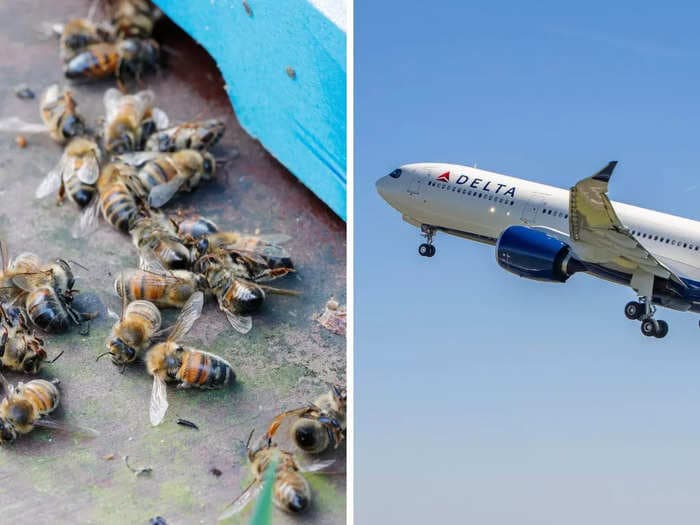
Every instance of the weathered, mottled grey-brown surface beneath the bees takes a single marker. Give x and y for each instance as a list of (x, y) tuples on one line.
[(51, 477)]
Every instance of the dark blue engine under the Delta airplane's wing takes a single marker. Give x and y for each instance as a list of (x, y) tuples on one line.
[(535, 255)]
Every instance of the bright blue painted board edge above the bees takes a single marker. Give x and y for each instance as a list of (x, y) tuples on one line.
[(301, 121)]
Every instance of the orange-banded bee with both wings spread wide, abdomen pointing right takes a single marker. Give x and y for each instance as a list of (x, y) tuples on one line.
[(188, 366)]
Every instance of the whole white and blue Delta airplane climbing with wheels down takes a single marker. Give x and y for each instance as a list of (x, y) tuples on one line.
[(548, 234)]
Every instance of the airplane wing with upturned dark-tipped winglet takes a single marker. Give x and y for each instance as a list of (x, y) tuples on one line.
[(594, 224)]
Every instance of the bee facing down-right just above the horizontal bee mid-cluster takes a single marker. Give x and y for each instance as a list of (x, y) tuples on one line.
[(155, 237)]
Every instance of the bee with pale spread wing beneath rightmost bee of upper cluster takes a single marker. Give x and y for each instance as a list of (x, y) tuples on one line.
[(162, 175)]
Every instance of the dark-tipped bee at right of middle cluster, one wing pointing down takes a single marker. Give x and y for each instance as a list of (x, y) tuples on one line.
[(238, 297)]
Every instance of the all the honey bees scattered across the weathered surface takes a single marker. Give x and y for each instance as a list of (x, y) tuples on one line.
[(125, 168)]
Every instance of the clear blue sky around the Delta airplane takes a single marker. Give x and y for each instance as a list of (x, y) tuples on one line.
[(482, 397)]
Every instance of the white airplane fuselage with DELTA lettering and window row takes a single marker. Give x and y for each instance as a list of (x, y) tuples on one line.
[(478, 204)]
